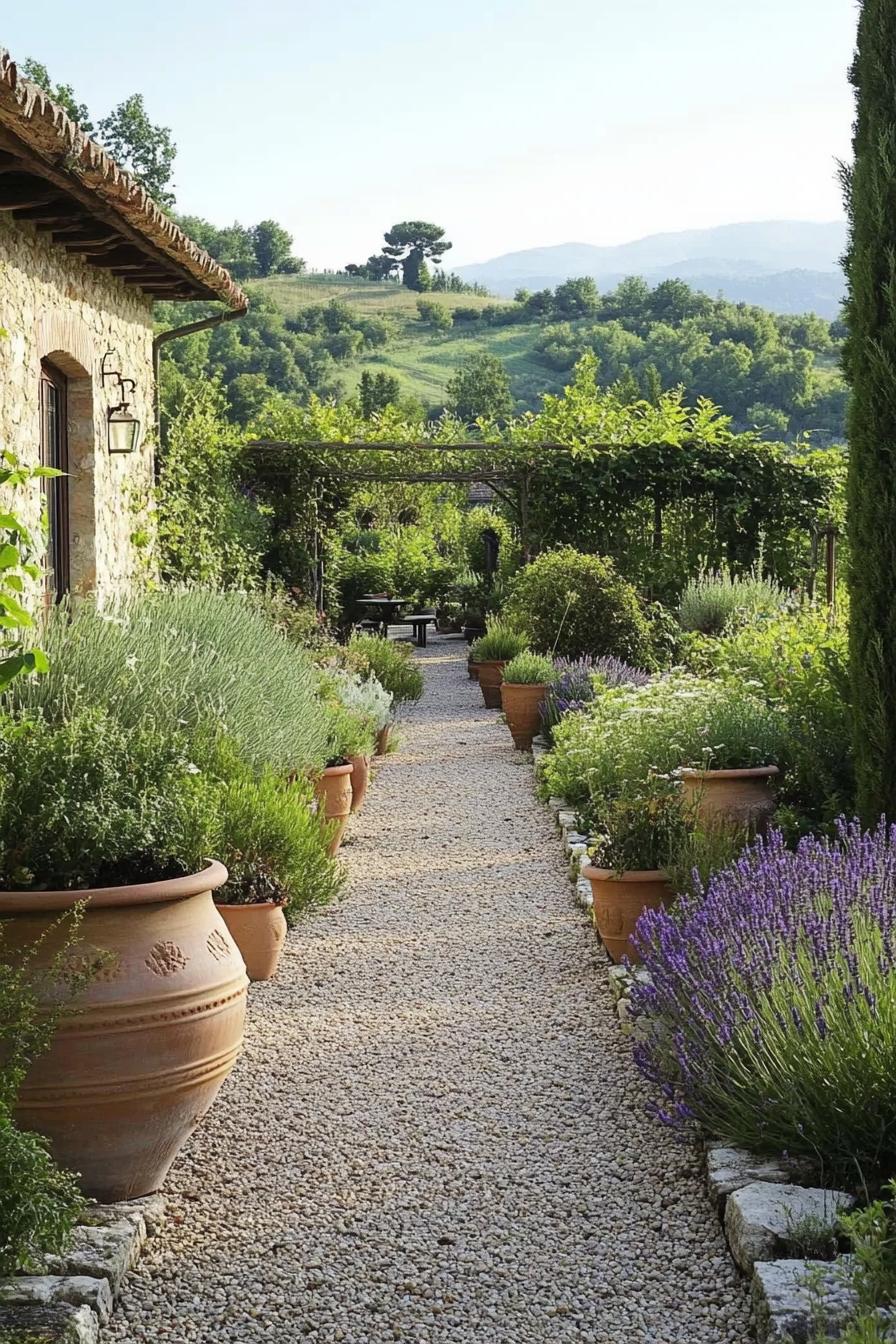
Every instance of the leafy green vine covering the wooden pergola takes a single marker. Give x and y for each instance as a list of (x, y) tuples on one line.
[(627, 479)]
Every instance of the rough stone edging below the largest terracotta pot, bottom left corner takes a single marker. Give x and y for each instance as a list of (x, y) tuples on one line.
[(76, 1295)]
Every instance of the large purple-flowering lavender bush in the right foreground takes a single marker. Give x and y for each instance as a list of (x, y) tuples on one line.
[(772, 1003)]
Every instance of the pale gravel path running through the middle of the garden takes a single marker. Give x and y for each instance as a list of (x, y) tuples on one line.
[(436, 1132)]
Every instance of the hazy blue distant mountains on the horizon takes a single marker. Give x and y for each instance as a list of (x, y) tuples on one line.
[(788, 267)]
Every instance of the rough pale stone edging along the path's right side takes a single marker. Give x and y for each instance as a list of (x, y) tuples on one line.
[(769, 1209)]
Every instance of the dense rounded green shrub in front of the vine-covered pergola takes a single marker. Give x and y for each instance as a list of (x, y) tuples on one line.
[(573, 604)]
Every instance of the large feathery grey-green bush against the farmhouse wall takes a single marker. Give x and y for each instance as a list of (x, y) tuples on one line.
[(187, 658)]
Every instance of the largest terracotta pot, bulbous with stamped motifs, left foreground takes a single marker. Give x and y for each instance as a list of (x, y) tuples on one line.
[(134, 1069)]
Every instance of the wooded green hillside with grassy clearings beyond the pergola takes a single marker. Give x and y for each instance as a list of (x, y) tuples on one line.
[(777, 373)]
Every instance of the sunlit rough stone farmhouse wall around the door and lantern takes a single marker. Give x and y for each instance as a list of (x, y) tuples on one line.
[(58, 308)]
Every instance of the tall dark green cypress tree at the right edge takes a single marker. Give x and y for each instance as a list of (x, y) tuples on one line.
[(871, 370)]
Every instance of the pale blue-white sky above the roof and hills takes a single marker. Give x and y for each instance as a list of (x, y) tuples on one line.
[(512, 124)]
